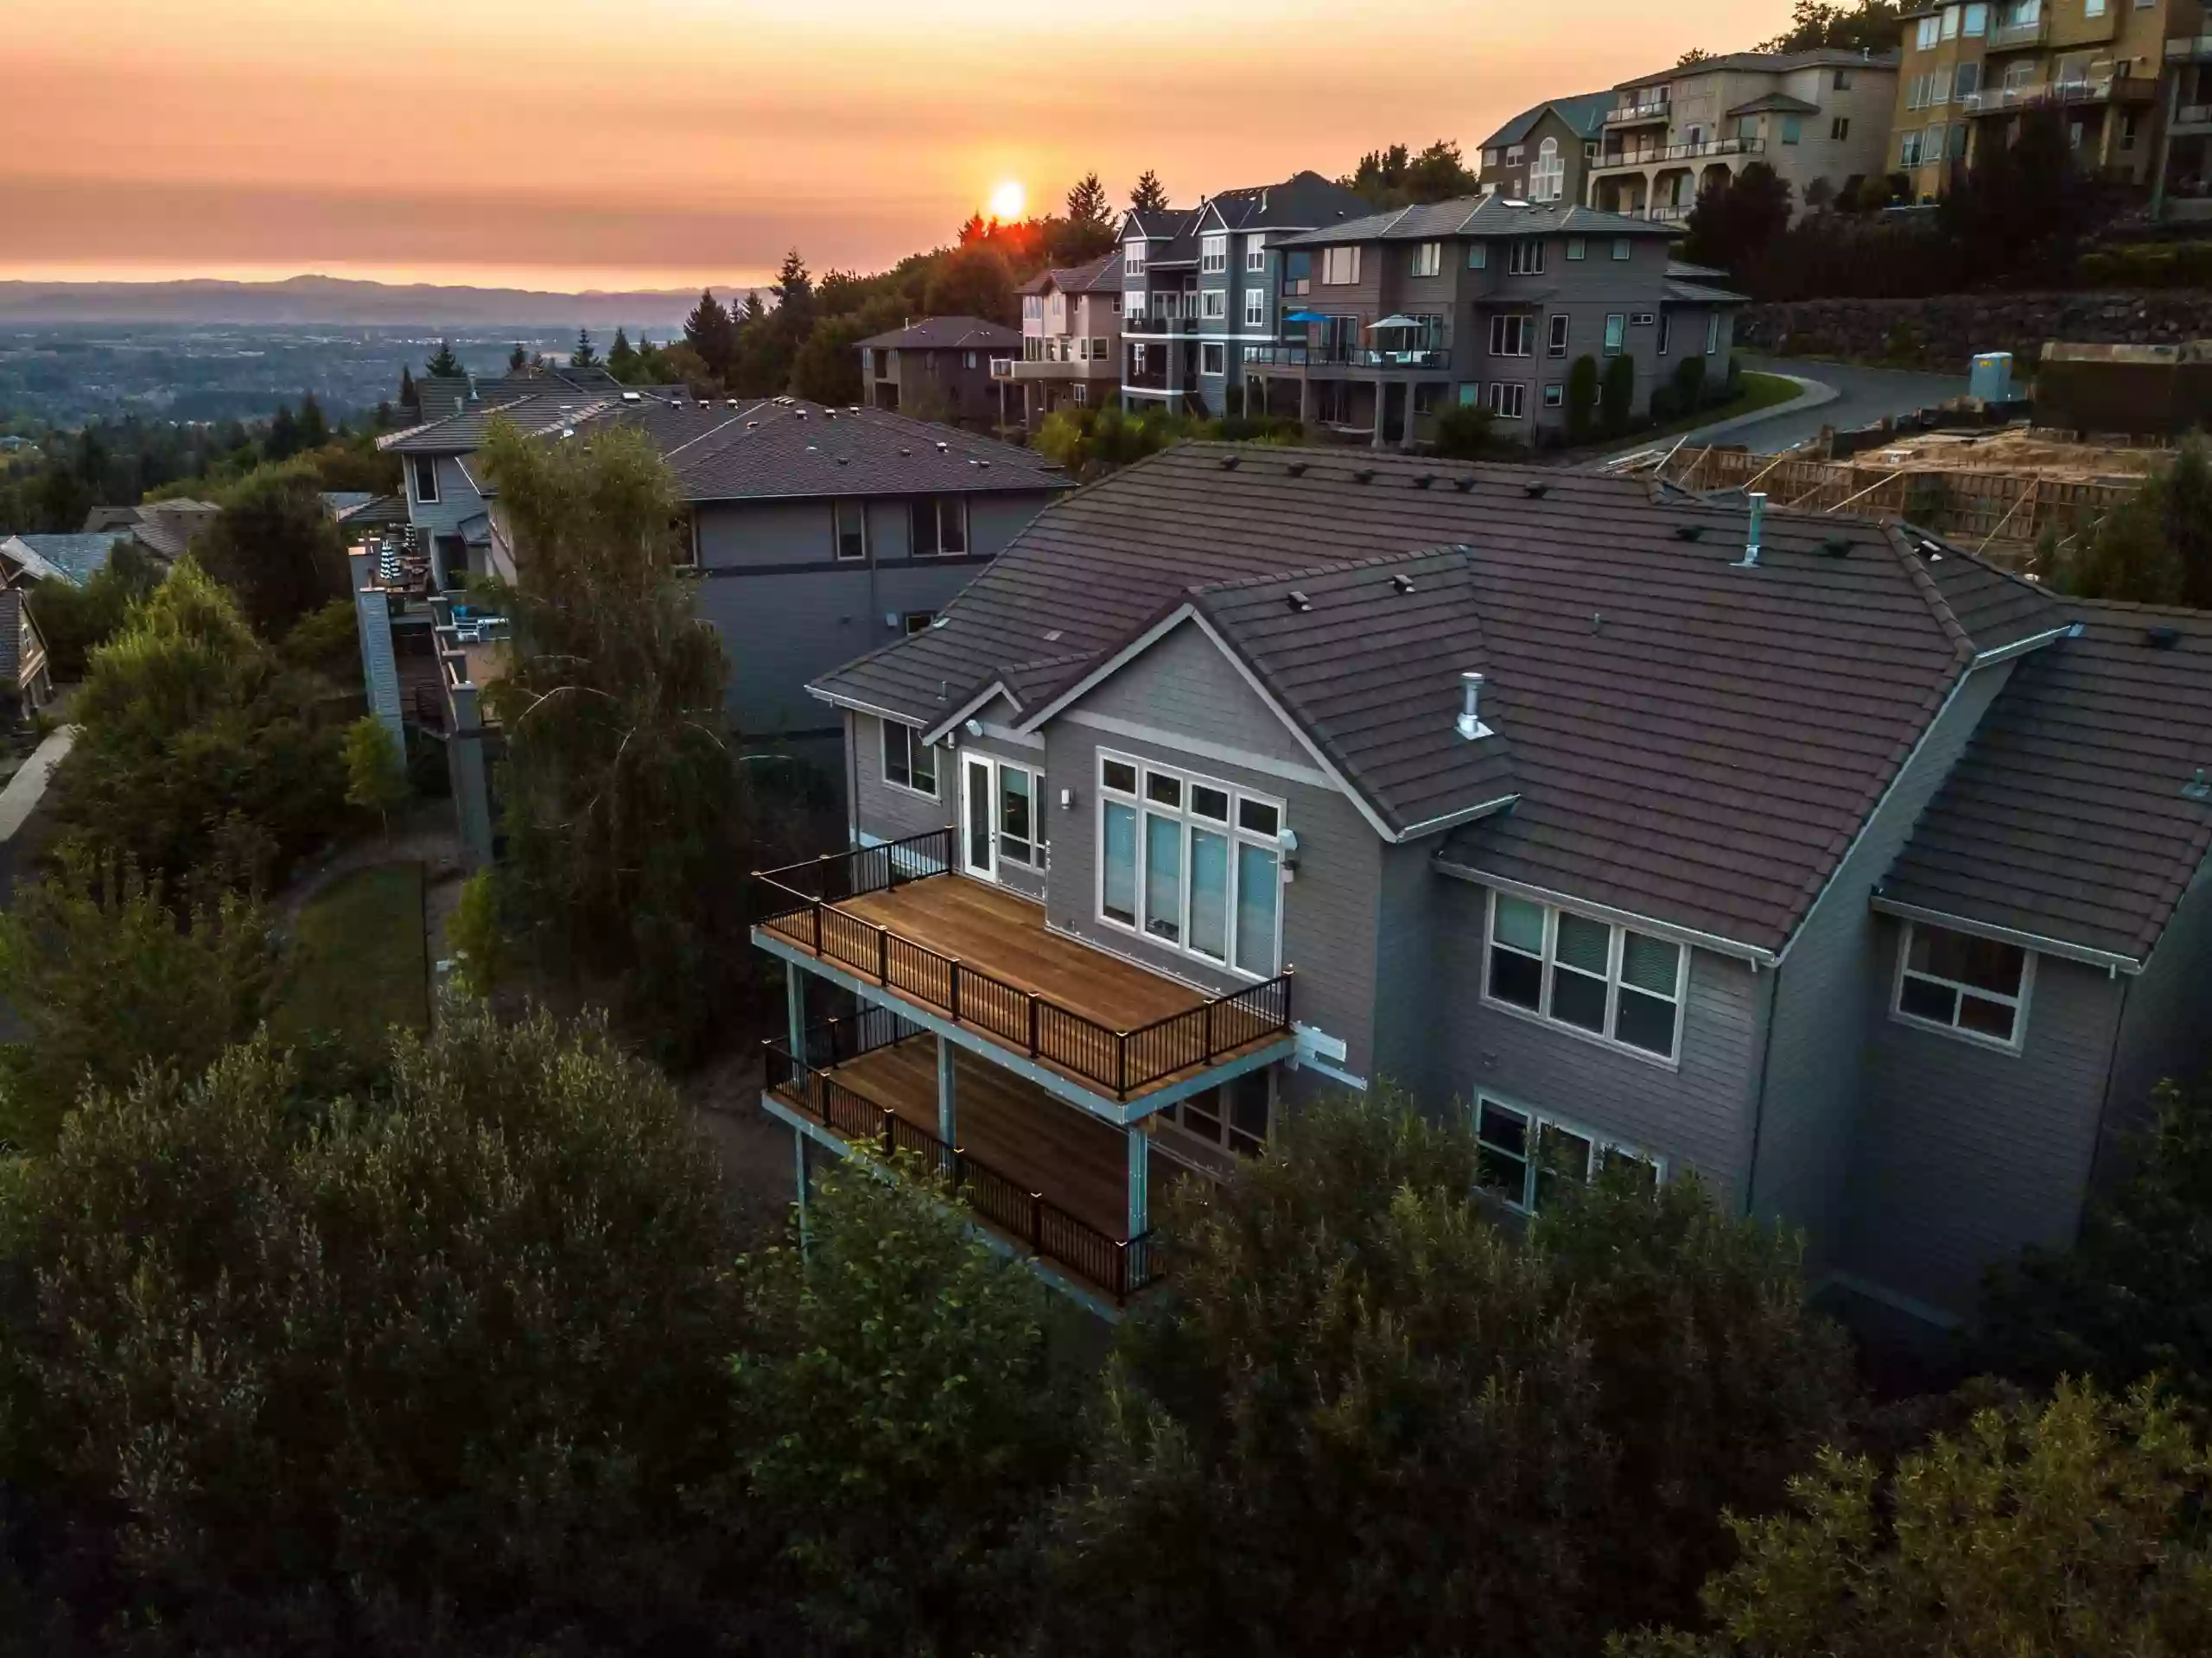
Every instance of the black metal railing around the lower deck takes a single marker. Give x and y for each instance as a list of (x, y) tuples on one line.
[(1120, 1268)]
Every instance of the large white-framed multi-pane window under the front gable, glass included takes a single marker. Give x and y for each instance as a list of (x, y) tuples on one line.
[(1191, 863)]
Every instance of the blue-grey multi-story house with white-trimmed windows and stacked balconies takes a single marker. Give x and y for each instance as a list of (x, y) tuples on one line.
[(1198, 288)]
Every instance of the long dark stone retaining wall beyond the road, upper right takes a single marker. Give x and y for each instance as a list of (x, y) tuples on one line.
[(1945, 333)]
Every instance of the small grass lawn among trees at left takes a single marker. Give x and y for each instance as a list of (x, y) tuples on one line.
[(359, 961)]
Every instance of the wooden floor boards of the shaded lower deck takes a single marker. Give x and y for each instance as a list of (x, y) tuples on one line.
[(1010, 1124)]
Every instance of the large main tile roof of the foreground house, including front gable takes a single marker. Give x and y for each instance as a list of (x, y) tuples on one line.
[(1689, 742)]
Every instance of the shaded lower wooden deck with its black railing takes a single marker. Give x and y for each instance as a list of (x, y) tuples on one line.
[(1043, 1177)]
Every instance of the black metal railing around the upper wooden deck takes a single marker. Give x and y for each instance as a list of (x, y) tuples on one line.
[(802, 905)]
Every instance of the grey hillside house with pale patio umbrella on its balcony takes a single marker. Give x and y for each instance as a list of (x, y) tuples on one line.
[(1485, 300)]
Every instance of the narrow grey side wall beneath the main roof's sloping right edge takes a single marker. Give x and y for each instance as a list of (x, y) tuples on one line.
[(1826, 994)]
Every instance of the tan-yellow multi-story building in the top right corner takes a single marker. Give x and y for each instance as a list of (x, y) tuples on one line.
[(1974, 72)]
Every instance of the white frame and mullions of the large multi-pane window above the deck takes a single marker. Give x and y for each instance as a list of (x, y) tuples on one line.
[(1185, 815)]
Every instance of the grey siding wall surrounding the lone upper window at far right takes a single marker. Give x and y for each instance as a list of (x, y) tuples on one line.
[(1968, 1155)]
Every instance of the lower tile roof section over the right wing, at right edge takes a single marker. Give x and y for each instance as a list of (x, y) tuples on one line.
[(2067, 815)]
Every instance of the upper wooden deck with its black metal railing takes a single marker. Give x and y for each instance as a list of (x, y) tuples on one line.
[(983, 963)]
